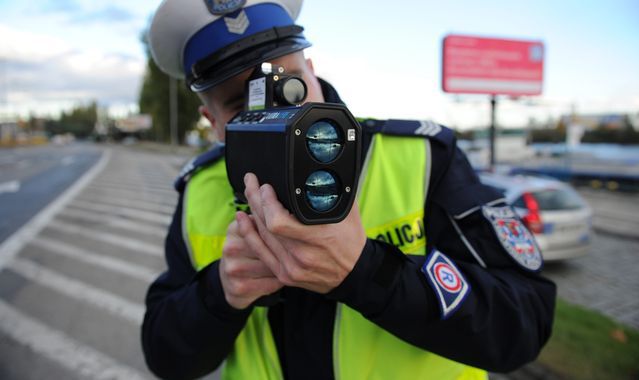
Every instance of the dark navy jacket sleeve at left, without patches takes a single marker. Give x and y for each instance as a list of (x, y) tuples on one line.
[(188, 328)]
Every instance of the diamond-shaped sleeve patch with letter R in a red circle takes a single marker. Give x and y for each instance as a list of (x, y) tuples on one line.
[(450, 286)]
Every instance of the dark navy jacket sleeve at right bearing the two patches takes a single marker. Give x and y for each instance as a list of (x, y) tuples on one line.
[(505, 318)]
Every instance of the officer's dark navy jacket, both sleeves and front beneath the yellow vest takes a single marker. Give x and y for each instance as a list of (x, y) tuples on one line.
[(506, 318)]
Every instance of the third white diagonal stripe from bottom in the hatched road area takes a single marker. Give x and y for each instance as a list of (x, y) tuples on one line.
[(138, 272)]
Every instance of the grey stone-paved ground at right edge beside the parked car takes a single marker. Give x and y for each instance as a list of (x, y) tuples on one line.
[(606, 280)]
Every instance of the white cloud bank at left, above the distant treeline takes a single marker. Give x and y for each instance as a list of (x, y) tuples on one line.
[(42, 71)]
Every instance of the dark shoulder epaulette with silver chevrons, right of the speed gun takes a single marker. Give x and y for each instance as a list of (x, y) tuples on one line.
[(417, 128)]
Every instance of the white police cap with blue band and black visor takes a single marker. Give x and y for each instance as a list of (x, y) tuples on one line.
[(209, 41)]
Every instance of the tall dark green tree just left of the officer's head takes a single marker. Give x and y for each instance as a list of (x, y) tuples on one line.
[(154, 100)]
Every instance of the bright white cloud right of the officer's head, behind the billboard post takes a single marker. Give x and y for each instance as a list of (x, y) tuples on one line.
[(374, 88)]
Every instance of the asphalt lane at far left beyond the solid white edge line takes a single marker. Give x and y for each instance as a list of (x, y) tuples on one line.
[(31, 177)]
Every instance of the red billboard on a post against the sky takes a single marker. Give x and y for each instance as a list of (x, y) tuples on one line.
[(477, 65)]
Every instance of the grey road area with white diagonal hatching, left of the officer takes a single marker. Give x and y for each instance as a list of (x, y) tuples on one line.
[(72, 288)]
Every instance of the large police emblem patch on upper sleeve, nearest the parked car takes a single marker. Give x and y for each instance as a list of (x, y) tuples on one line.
[(514, 237)]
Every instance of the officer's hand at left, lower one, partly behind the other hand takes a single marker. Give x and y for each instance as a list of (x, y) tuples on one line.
[(244, 276)]
